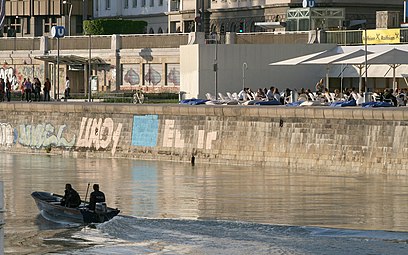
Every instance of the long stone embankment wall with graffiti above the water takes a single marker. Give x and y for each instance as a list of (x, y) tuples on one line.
[(319, 139)]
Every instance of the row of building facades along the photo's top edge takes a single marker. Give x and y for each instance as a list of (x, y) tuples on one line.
[(36, 17)]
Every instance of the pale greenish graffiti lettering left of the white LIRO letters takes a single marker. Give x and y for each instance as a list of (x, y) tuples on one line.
[(43, 135)]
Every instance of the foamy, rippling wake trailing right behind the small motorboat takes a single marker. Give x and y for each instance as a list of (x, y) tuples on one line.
[(133, 235)]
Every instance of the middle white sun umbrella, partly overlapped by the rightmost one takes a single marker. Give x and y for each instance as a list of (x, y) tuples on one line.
[(329, 60)]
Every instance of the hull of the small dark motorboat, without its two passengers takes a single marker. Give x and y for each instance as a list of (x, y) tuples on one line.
[(51, 205)]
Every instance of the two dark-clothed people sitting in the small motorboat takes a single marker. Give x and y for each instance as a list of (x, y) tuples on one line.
[(72, 199)]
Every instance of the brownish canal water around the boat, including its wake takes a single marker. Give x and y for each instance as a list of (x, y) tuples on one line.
[(176, 208)]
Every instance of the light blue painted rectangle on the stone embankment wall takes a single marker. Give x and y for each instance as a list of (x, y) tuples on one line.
[(145, 130)]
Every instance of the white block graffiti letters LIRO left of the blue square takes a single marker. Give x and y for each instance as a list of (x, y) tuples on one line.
[(98, 134)]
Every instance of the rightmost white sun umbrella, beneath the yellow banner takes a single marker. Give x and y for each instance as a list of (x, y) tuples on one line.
[(393, 57)]
